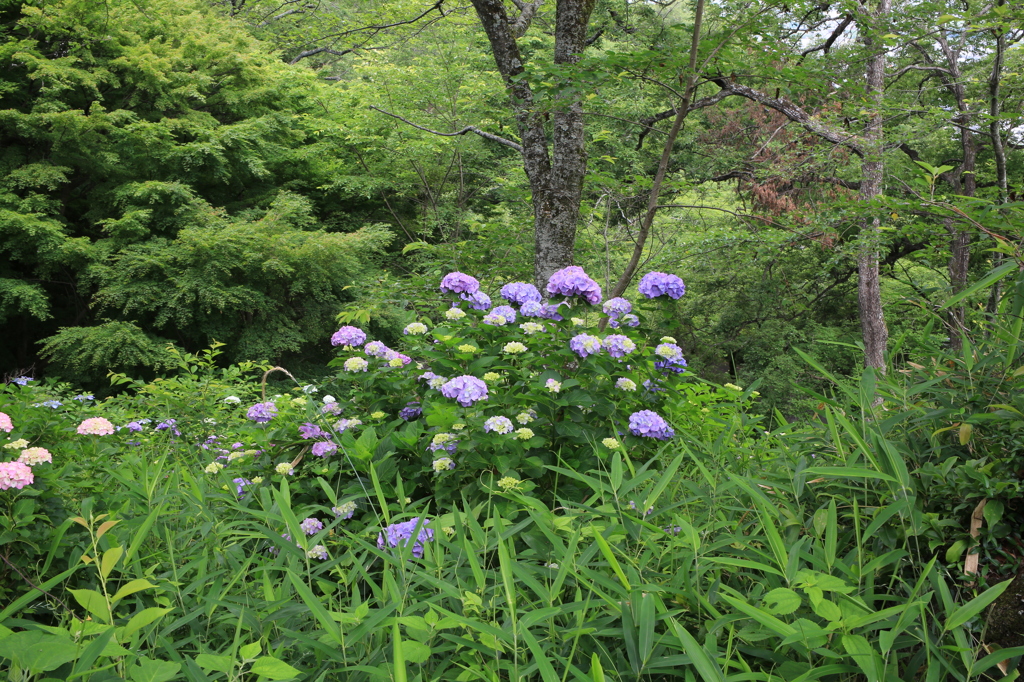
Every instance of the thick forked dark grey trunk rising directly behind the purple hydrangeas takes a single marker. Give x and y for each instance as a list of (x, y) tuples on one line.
[(556, 179)]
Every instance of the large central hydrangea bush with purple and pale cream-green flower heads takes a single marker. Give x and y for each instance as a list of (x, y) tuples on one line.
[(481, 394)]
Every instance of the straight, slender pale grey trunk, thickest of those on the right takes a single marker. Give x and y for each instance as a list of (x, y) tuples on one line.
[(873, 322)]
